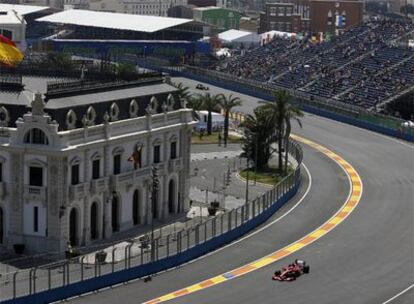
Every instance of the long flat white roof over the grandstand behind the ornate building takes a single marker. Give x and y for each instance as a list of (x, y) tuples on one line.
[(138, 23)]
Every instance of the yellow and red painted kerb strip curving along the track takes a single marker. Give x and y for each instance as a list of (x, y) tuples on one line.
[(352, 201)]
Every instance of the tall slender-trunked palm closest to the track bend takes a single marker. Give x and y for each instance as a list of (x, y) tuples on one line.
[(281, 112)]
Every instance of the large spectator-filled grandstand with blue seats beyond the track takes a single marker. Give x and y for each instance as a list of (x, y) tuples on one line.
[(367, 66)]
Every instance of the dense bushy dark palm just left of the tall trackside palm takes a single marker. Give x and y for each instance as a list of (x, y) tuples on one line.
[(258, 136)]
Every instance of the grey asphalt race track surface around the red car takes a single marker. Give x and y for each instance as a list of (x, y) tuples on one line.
[(369, 258)]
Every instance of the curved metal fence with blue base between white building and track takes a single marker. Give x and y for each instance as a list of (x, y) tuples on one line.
[(143, 251)]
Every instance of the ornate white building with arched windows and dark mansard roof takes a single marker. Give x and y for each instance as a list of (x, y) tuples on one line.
[(75, 161)]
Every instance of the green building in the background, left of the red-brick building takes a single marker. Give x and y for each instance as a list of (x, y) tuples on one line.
[(221, 17)]
